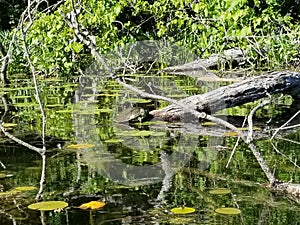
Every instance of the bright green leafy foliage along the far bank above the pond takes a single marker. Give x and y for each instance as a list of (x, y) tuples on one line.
[(268, 30)]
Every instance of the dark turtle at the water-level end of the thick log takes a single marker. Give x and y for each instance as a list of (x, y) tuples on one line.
[(132, 114)]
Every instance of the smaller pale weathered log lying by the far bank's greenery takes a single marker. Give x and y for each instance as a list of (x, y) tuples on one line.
[(233, 57)]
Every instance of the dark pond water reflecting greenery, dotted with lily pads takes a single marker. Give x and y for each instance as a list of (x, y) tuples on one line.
[(144, 169)]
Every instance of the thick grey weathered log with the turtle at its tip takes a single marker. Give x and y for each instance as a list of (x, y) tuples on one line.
[(236, 94)]
